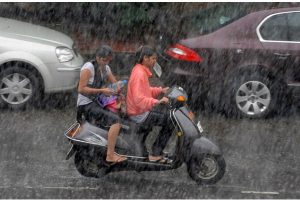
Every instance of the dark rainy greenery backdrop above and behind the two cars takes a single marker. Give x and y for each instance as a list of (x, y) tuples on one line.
[(123, 25)]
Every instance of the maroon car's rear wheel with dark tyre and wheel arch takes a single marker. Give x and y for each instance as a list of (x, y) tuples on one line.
[(253, 94)]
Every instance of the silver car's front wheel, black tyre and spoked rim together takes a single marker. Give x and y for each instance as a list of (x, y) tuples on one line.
[(18, 87)]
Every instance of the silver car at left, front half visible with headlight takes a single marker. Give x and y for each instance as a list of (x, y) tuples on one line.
[(34, 60)]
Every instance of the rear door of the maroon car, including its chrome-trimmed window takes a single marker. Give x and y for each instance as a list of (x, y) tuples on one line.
[(279, 35)]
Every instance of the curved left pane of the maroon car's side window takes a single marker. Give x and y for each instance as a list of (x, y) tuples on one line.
[(275, 28)]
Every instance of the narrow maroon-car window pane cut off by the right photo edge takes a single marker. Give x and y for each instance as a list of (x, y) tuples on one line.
[(293, 26)]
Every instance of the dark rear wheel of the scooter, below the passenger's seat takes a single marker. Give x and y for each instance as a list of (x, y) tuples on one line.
[(88, 166)]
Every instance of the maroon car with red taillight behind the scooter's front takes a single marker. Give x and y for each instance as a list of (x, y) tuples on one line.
[(244, 68)]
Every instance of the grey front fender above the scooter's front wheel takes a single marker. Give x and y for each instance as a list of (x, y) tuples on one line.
[(203, 145)]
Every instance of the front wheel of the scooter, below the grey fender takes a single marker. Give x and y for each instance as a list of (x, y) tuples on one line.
[(207, 169)]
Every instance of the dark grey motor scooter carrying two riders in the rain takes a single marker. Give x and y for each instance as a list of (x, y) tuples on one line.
[(204, 160)]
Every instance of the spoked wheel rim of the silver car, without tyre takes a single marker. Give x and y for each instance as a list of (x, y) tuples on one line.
[(15, 88)]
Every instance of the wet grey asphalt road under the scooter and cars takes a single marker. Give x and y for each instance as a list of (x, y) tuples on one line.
[(263, 161)]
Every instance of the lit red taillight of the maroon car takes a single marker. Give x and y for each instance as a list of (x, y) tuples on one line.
[(183, 53)]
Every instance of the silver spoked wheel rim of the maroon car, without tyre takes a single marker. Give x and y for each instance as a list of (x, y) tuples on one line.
[(253, 98)]
